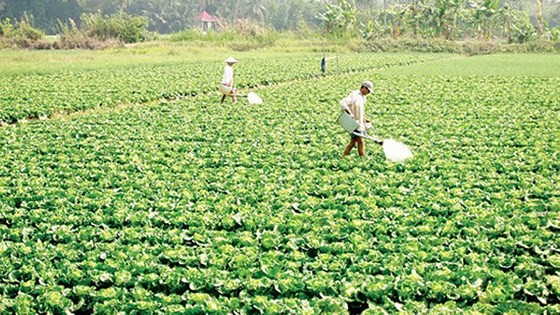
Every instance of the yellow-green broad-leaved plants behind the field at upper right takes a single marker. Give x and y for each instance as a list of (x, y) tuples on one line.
[(484, 20)]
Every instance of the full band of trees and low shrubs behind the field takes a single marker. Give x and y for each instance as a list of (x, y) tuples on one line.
[(423, 24)]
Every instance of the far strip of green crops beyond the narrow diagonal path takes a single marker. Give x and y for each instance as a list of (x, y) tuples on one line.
[(36, 96)]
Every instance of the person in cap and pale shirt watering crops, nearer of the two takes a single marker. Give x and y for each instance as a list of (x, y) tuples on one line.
[(354, 105)]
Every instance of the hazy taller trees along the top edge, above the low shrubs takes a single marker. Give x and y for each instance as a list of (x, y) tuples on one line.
[(450, 19)]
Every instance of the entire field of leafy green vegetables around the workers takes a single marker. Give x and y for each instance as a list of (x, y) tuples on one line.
[(168, 202)]
